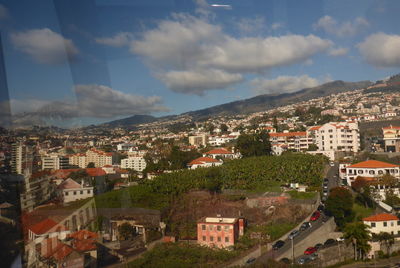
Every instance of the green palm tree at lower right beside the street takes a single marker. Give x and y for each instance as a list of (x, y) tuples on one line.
[(358, 234)]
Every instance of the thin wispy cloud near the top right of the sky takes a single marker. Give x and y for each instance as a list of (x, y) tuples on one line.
[(347, 28)]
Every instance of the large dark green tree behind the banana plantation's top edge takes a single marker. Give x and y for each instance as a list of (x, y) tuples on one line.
[(254, 144)]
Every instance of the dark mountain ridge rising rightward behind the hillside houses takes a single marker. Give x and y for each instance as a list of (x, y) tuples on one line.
[(268, 101)]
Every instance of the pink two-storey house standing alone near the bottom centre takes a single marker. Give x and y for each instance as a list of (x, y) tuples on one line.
[(219, 232)]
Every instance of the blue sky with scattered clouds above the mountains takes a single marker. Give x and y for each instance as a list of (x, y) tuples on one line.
[(79, 62)]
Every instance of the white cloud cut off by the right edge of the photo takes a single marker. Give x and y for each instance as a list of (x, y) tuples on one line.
[(381, 50)]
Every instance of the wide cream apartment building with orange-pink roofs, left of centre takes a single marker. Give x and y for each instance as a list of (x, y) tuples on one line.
[(97, 157)]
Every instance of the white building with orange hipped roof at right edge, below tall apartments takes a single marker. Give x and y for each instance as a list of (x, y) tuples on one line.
[(371, 169)]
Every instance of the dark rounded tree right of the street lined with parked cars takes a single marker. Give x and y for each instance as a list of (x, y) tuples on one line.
[(340, 205)]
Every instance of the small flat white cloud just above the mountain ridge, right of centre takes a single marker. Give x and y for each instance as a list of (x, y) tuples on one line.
[(283, 84)]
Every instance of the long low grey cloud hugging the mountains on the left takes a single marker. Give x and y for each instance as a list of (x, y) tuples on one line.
[(95, 101)]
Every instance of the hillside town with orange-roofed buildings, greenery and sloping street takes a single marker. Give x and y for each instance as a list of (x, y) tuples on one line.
[(65, 183)]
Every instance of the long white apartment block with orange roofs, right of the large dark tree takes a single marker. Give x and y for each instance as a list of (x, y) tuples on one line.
[(298, 141)]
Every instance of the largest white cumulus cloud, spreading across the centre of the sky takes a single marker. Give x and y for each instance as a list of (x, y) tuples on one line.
[(185, 44)]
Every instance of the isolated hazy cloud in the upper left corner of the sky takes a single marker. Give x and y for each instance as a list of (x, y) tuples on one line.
[(44, 45)]
